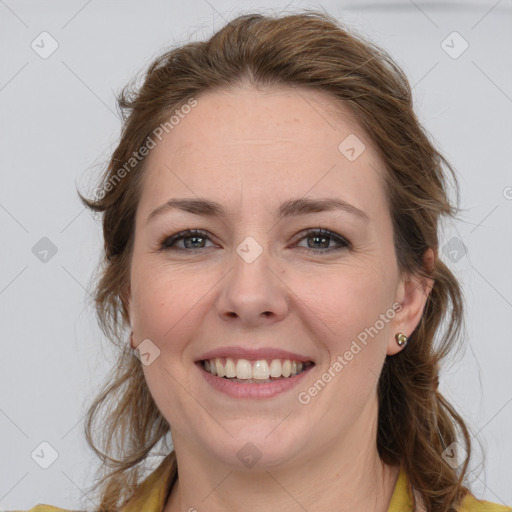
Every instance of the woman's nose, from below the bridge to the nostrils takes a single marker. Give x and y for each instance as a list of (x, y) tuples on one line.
[(253, 293)]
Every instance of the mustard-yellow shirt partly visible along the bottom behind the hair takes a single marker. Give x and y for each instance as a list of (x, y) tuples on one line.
[(154, 492)]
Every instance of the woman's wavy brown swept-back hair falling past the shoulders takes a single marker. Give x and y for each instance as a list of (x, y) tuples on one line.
[(310, 49)]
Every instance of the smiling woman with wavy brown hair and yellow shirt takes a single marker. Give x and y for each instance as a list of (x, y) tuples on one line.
[(270, 219)]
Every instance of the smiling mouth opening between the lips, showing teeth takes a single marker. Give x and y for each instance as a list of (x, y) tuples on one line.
[(258, 371)]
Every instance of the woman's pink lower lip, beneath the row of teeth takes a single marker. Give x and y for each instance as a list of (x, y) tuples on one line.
[(252, 390)]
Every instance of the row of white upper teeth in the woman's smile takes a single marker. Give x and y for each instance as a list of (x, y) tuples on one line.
[(261, 369)]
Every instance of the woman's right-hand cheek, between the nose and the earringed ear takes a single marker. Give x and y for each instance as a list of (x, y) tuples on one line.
[(349, 305)]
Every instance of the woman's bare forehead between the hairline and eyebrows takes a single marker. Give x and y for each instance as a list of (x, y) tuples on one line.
[(267, 144)]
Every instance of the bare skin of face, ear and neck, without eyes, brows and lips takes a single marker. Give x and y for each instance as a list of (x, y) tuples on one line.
[(251, 150)]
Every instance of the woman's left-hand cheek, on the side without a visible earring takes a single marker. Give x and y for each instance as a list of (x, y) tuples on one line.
[(165, 308)]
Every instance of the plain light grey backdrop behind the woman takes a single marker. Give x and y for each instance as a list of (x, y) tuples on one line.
[(58, 124)]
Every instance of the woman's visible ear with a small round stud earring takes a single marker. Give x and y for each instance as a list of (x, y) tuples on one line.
[(412, 294)]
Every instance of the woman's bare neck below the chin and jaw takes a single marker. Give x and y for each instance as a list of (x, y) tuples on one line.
[(342, 476)]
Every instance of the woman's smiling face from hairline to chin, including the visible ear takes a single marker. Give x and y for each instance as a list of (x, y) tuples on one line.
[(254, 280)]
